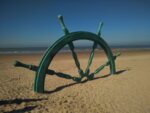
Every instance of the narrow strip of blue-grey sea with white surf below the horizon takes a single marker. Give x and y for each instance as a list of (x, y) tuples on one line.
[(41, 50)]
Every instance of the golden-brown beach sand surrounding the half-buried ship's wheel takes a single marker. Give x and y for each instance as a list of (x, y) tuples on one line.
[(128, 91)]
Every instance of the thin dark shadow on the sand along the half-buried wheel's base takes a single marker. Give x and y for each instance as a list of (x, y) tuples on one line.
[(71, 84)]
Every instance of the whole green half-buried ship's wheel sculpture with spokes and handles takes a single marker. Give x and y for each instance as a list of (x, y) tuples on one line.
[(68, 39)]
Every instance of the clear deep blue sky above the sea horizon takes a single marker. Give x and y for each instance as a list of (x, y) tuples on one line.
[(34, 23)]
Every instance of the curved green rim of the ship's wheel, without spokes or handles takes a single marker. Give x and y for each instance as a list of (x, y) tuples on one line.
[(56, 47)]
